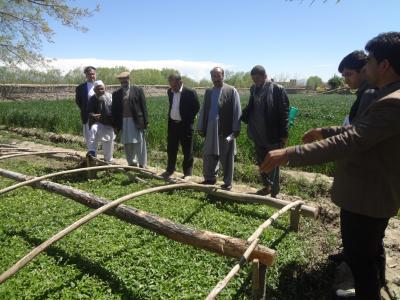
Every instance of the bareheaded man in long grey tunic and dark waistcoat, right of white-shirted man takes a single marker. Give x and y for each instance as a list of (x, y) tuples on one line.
[(219, 123)]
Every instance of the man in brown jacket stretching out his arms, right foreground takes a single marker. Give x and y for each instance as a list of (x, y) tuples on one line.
[(367, 153)]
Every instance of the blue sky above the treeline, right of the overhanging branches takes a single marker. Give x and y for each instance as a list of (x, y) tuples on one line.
[(291, 39)]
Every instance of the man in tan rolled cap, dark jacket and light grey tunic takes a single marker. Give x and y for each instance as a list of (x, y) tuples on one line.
[(129, 112)]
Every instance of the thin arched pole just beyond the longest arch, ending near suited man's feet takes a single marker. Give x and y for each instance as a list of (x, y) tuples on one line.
[(36, 179)]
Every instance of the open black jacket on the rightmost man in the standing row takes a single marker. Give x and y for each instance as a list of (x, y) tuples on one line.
[(276, 119)]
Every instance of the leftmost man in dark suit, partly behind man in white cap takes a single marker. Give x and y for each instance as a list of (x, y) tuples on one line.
[(83, 92)]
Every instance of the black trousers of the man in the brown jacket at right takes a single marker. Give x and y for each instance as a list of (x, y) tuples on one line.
[(362, 238)]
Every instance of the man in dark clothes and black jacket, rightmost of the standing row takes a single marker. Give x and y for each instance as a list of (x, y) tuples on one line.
[(267, 116)]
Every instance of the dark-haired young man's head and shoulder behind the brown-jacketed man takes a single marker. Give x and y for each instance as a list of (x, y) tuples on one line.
[(352, 69)]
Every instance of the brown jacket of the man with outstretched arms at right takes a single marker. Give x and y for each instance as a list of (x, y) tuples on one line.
[(367, 155)]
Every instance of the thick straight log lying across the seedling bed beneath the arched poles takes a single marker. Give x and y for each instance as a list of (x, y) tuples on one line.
[(214, 242)]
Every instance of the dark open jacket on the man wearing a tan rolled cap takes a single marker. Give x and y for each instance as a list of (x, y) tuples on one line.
[(137, 104)]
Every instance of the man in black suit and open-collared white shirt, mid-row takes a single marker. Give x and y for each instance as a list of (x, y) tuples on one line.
[(183, 108)]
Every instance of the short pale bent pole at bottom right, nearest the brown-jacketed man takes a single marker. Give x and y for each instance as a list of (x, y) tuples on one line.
[(253, 239)]
